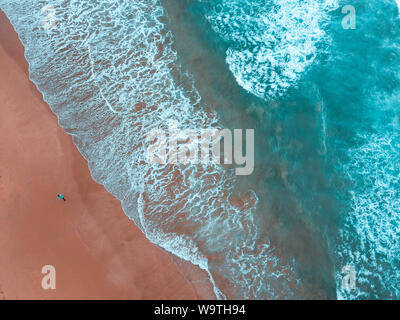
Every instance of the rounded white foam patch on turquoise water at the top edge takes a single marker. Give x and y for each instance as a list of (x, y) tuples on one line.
[(271, 44)]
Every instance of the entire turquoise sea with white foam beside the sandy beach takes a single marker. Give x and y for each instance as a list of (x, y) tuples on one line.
[(323, 101)]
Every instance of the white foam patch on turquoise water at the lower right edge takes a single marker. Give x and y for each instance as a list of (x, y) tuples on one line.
[(370, 239)]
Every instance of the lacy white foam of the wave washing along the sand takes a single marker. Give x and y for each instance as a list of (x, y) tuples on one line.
[(109, 73)]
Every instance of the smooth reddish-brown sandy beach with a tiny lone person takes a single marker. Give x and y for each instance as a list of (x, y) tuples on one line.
[(97, 251)]
